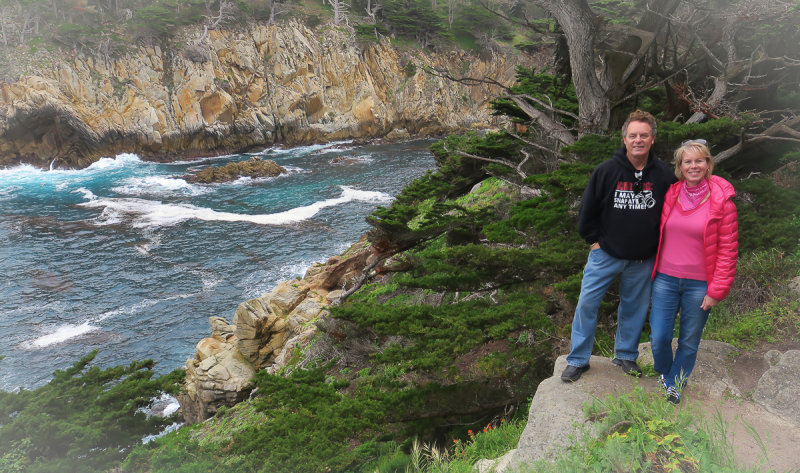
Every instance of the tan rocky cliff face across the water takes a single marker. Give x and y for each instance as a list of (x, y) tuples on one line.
[(255, 86)]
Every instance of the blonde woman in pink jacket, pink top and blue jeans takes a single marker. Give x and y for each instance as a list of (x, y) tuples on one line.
[(695, 264)]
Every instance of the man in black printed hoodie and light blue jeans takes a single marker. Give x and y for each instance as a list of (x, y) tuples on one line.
[(619, 218)]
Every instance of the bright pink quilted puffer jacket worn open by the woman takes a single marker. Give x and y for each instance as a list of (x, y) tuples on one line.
[(720, 237)]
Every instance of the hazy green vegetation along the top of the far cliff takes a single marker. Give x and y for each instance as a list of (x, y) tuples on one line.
[(33, 30)]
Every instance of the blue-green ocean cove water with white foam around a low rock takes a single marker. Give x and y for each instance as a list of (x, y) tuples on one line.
[(128, 258)]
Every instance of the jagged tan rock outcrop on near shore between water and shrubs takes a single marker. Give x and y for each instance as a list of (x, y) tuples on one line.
[(264, 335)]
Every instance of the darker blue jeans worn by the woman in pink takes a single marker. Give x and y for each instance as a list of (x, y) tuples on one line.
[(671, 294)]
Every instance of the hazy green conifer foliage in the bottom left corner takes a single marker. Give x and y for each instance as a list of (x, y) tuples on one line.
[(83, 419)]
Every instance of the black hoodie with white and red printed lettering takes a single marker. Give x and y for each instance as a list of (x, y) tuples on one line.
[(625, 224)]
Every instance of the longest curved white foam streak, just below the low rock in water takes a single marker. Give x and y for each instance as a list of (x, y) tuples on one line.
[(148, 213)]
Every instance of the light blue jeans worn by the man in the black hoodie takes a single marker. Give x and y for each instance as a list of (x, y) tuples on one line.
[(634, 300)]
